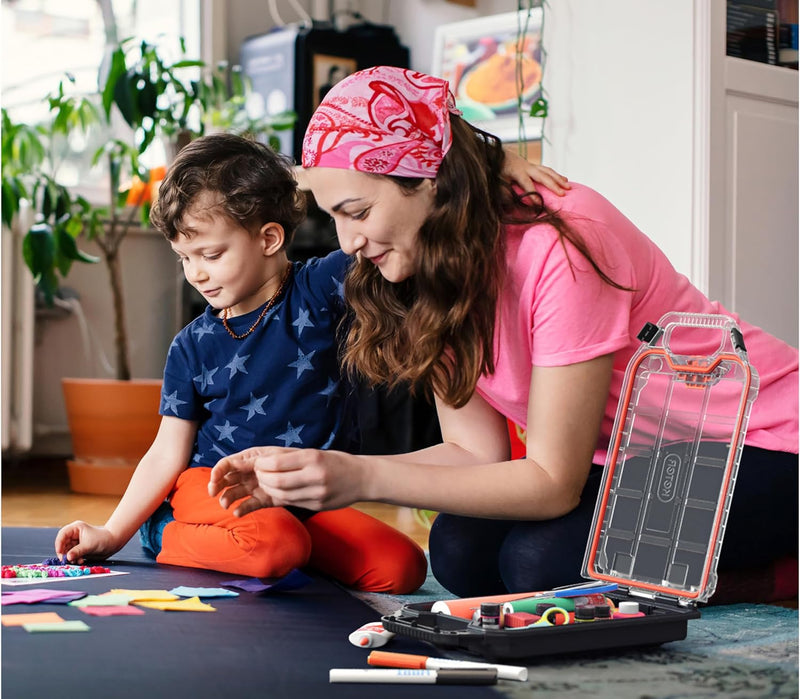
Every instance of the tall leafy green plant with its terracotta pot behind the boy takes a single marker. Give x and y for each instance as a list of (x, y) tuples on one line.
[(158, 100)]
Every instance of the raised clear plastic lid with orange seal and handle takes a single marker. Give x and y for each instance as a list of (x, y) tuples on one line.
[(671, 467)]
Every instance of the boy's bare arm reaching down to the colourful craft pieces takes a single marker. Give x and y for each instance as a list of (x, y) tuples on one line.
[(151, 482)]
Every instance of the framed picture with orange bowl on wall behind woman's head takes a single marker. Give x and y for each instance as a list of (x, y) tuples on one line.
[(494, 67)]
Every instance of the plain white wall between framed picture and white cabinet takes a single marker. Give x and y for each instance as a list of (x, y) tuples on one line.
[(620, 115)]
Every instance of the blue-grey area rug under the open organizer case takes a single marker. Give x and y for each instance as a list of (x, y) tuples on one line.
[(738, 650)]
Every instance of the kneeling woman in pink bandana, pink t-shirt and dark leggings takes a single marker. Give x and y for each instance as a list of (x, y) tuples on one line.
[(505, 306)]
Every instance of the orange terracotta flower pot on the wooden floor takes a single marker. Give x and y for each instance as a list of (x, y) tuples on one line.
[(112, 424)]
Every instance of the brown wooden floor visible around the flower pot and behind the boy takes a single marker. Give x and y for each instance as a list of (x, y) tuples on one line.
[(37, 494)]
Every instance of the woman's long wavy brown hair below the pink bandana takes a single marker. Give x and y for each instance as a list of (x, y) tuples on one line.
[(435, 331)]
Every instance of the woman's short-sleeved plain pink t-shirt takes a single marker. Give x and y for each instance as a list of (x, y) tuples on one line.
[(554, 314)]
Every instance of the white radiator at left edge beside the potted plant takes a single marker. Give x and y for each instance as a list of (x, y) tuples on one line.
[(18, 318)]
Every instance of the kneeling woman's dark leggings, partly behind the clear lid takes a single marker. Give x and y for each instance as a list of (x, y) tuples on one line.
[(475, 556)]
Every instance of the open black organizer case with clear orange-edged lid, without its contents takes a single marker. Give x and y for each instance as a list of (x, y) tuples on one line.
[(663, 504)]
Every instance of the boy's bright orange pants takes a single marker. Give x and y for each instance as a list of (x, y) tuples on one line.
[(357, 550)]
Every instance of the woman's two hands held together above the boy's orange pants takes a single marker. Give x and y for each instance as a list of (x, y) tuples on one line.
[(278, 476)]
